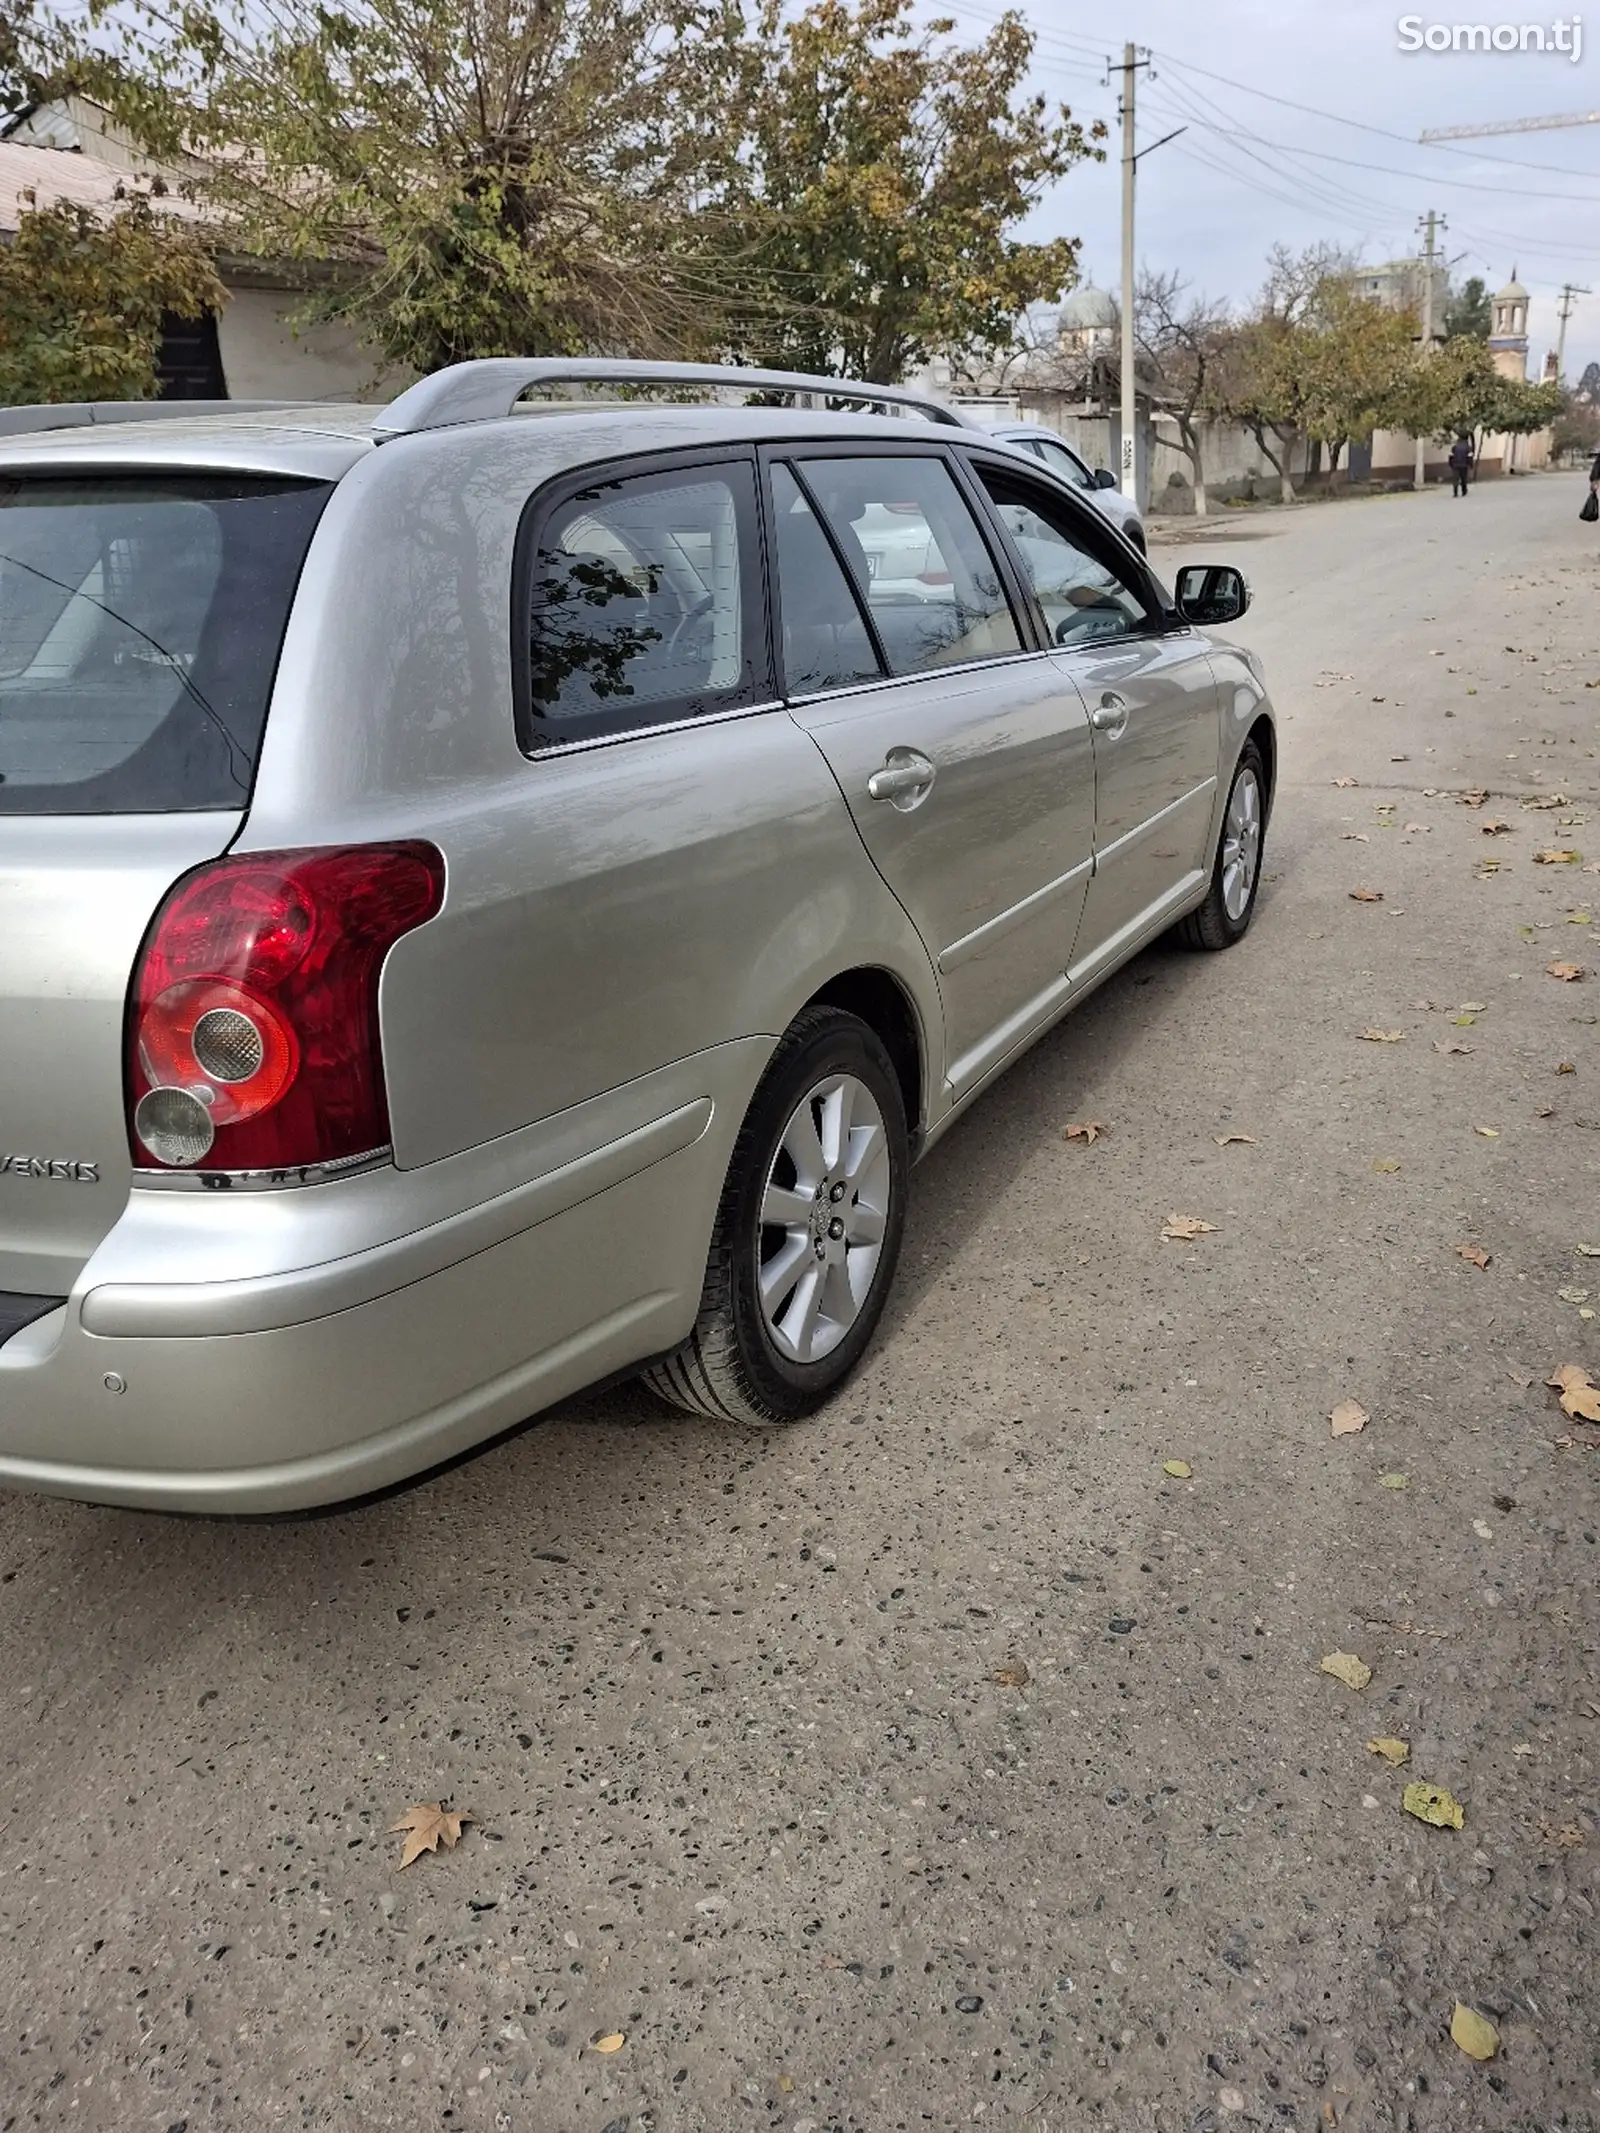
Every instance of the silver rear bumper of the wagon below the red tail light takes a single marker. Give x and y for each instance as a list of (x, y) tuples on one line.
[(319, 1383)]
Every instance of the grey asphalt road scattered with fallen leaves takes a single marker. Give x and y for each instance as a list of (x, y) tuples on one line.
[(946, 1763)]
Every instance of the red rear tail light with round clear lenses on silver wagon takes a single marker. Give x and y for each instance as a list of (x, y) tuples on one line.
[(253, 1031)]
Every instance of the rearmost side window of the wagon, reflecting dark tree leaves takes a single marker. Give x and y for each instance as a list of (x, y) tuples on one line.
[(641, 605)]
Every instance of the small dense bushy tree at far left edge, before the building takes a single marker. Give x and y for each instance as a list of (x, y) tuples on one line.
[(82, 300)]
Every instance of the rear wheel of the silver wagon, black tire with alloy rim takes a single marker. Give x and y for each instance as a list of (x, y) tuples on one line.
[(769, 1349)]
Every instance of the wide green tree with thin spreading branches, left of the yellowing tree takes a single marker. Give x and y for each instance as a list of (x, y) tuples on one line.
[(453, 178)]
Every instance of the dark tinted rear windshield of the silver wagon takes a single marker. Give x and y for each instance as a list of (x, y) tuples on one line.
[(140, 630)]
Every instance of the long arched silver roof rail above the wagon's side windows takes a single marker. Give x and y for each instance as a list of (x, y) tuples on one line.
[(492, 389)]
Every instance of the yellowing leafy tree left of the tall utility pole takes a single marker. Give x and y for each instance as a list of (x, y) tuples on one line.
[(886, 170)]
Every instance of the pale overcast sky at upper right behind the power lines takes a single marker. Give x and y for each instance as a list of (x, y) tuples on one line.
[(1251, 172)]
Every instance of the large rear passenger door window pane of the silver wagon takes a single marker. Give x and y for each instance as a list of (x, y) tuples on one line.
[(916, 551)]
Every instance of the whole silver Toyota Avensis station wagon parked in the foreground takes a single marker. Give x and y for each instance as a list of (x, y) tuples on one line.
[(498, 893)]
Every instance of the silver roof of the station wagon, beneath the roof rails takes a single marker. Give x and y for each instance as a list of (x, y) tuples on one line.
[(325, 440)]
